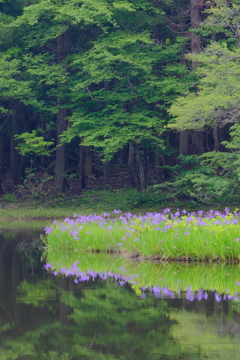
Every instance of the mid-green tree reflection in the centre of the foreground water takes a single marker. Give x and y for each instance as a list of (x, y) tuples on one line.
[(113, 320)]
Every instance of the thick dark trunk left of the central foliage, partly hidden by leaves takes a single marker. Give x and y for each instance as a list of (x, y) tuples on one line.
[(59, 180)]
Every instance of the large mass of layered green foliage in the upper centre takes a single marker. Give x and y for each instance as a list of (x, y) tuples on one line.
[(116, 91)]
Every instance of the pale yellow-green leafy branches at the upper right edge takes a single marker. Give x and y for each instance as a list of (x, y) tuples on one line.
[(217, 98)]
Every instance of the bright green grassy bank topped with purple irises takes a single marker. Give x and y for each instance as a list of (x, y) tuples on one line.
[(210, 236)]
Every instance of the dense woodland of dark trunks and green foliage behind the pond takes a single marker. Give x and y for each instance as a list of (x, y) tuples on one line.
[(125, 93)]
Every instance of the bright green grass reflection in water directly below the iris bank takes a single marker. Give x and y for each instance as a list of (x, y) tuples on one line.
[(223, 278)]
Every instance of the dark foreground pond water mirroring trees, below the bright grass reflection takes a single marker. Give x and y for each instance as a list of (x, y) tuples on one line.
[(43, 316)]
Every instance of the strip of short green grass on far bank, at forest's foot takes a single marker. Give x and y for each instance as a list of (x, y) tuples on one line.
[(97, 201)]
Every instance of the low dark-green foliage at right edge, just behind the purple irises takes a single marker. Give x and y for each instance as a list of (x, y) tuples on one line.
[(207, 179)]
